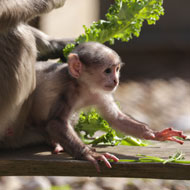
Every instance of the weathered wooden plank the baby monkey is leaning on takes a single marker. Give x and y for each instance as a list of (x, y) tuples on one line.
[(40, 161)]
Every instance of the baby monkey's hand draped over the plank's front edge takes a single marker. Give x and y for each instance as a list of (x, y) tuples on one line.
[(93, 157)]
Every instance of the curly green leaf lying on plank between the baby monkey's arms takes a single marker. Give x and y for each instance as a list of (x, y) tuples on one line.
[(91, 122)]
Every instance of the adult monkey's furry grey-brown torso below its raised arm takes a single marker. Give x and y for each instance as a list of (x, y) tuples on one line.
[(17, 76)]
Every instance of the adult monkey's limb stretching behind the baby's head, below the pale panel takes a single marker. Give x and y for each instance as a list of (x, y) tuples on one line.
[(49, 48)]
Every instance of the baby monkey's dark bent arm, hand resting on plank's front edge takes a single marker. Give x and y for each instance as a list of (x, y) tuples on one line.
[(63, 133)]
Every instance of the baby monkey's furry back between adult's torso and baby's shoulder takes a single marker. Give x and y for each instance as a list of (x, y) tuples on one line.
[(49, 84)]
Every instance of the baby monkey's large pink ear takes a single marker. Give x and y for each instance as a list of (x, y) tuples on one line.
[(75, 66)]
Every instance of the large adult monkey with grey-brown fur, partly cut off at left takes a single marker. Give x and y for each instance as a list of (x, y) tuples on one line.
[(19, 44)]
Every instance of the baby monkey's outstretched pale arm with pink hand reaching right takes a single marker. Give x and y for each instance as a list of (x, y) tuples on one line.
[(130, 126)]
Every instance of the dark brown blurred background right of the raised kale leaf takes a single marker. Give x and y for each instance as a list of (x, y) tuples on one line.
[(162, 50)]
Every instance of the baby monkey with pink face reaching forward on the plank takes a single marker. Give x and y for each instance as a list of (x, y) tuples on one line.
[(89, 79)]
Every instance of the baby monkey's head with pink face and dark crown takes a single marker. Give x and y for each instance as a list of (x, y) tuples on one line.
[(95, 65)]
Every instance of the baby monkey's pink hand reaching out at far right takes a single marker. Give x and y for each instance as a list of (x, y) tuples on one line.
[(169, 134)]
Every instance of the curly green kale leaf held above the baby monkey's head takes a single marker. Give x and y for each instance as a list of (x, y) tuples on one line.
[(124, 20)]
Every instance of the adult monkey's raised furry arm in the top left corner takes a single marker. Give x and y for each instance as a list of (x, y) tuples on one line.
[(13, 12)]
